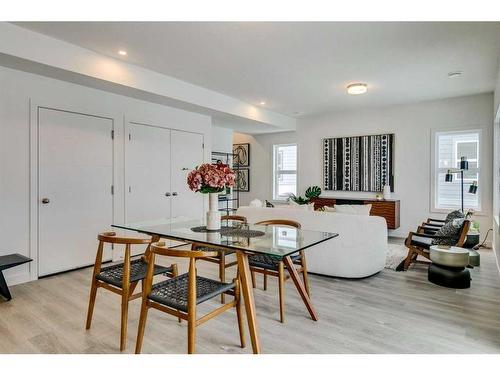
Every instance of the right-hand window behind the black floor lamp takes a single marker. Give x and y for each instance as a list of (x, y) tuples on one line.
[(449, 148)]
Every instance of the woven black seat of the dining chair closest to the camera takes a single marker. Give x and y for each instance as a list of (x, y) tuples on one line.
[(174, 292)]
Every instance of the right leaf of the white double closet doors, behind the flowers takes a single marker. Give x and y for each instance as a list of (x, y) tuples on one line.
[(187, 153)]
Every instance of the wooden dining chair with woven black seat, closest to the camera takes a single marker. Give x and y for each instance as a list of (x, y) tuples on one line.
[(180, 295)]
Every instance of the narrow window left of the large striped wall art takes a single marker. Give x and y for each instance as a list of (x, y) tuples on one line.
[(284, 171)]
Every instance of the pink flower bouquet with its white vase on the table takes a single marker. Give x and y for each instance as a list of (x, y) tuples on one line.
[(211, 179)]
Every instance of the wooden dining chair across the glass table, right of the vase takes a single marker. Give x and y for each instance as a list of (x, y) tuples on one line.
[(270, 265)]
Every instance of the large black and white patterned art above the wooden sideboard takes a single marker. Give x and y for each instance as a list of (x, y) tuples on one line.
[(364, 163)]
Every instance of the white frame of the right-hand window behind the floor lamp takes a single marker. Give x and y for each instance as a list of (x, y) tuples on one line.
[(434, 167)]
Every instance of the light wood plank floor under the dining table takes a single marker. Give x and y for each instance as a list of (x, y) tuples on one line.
[(392, 312)]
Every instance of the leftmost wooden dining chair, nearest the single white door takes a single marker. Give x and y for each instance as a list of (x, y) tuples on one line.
[(122, 278)]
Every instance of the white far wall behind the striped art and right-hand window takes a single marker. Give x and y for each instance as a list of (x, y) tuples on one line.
[(412, 125)]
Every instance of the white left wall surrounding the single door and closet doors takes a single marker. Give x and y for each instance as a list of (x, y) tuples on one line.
[(20, 93)]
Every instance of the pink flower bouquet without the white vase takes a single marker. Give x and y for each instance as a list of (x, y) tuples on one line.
[(211, 178)]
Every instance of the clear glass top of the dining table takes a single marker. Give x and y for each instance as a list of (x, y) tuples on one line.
[(272, 240)]
